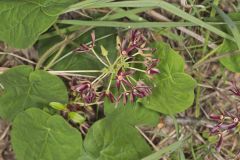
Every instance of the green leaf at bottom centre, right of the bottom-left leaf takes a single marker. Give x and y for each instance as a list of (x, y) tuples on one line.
[(107, 141)]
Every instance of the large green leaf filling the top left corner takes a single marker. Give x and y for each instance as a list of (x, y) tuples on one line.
[(22, 21)]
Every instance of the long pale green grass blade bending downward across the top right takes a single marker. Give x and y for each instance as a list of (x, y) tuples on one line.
[(168, 7)]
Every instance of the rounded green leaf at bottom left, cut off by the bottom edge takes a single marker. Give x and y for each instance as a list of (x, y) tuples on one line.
[(37, 135)]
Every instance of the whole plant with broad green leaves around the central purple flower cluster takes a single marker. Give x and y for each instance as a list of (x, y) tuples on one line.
[(83, 102)]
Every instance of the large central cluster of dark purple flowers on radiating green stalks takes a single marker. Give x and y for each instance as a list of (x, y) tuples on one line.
[(132, 53)]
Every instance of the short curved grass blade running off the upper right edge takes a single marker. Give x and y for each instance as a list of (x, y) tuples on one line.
[(231, 25)]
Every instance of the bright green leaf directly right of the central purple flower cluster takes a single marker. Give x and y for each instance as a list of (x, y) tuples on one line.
[(173, 90)]
